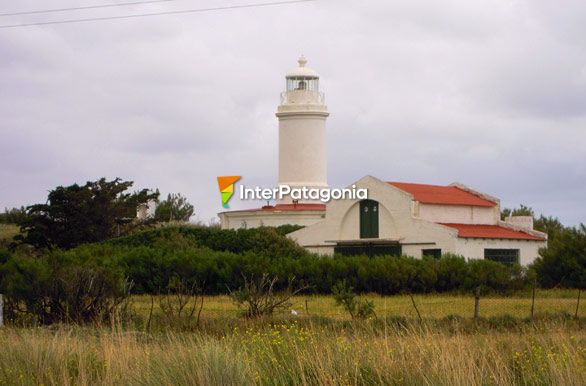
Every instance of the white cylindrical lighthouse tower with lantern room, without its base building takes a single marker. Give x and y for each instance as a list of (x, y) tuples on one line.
[(302, 131)]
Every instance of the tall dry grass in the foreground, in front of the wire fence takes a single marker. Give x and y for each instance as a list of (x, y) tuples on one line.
[(295, 353)]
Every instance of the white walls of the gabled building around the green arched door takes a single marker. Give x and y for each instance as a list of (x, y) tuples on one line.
[(342, 222)]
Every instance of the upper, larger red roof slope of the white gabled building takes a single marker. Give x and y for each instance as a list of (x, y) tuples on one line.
[(446, 195)]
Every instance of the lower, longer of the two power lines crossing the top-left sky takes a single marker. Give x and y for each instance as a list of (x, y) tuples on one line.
[(198, 10)]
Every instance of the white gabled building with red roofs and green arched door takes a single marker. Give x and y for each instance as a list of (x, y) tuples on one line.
[(419, 220)]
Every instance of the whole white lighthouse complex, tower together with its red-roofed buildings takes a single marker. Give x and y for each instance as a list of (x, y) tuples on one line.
[(397, 218)]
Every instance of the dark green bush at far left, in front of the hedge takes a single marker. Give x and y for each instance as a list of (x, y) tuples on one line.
[(61, 287)]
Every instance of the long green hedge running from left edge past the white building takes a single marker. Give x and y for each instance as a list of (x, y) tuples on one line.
[(219, 260)]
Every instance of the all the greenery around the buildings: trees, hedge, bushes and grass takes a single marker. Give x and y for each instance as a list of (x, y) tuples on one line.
[(185, 305)]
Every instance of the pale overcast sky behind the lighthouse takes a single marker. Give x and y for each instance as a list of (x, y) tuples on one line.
[(488, 93)]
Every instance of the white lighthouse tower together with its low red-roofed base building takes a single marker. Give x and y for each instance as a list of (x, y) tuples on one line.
[(302, 156)]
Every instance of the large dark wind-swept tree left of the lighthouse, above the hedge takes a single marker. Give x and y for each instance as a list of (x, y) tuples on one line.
[(76, 214)]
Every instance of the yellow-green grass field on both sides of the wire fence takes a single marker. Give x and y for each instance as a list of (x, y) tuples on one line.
[(323, 348)]
